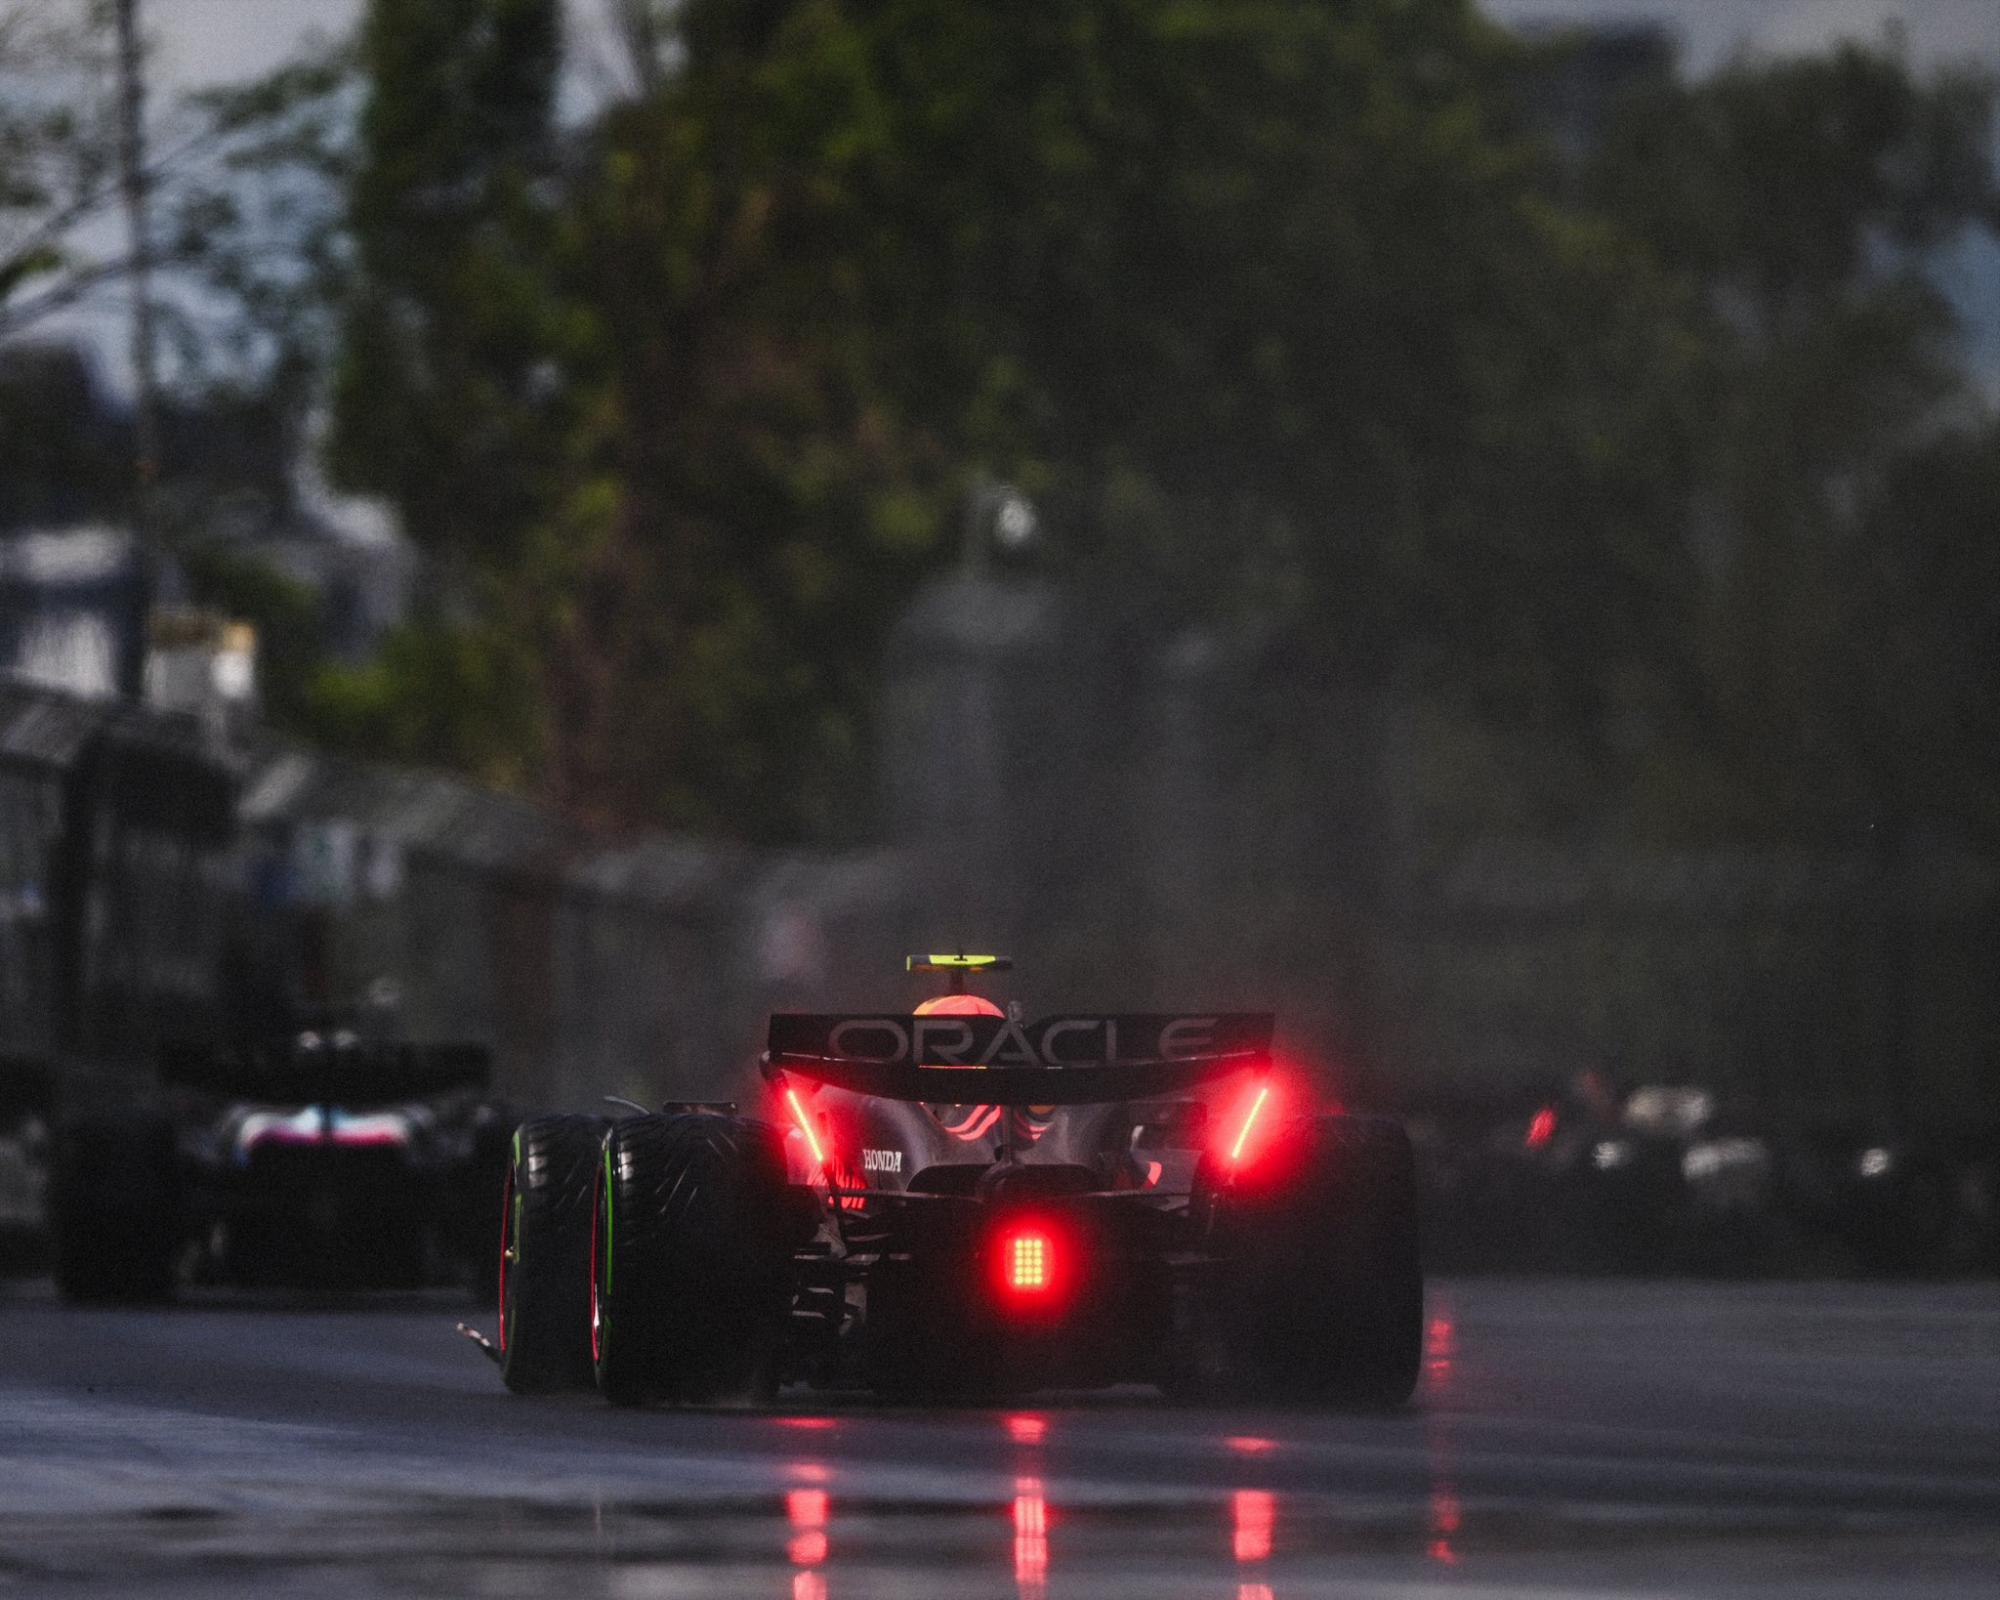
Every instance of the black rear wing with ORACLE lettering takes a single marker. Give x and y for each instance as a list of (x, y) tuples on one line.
[(995, 1061)]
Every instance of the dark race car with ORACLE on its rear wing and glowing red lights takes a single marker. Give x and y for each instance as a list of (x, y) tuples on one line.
[(963, 1203)]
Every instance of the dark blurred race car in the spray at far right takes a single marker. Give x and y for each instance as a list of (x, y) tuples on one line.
[(1675, 1177)]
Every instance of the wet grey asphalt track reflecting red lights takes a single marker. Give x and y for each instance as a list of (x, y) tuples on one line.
[(1571, 1439)]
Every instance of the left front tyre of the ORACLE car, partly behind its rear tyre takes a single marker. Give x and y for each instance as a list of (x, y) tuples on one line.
[(545, 1255)]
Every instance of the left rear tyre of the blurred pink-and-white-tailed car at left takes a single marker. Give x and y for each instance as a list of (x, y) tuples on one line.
[(115, 1209)]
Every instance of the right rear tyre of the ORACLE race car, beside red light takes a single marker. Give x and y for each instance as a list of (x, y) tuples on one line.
[(1321, 1291)]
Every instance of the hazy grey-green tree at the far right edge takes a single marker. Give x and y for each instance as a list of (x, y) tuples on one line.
[(1803, 203)]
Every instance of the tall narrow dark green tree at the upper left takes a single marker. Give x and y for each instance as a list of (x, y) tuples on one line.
[(441, 399)]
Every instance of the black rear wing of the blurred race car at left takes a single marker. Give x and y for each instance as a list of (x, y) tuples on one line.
[(329, 1071)]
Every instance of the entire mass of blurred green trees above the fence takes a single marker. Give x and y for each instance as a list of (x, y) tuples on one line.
[(1293, 317)]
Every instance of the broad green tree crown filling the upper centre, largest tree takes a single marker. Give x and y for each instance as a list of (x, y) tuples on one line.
[(1273, 305)]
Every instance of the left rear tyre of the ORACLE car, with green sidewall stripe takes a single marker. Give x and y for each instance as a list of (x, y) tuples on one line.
[(693, 1259)]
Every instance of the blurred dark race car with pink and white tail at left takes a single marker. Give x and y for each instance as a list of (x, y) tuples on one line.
[(323, 1163)]
